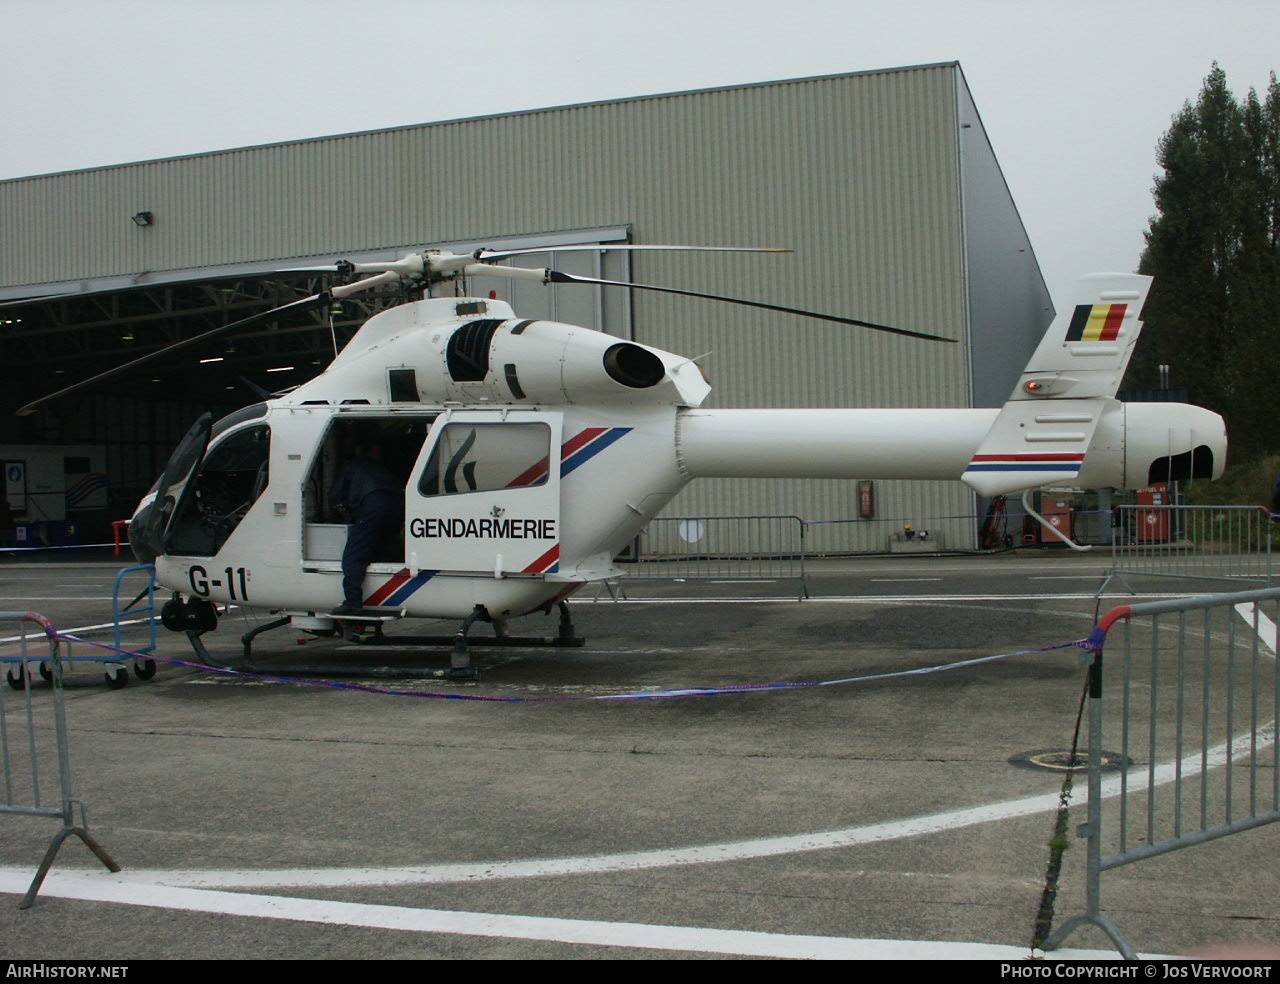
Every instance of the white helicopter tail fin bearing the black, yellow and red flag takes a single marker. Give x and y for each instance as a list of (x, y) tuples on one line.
[(1044, 433)]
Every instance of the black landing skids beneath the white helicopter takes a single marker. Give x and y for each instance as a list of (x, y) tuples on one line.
[(367, 630)]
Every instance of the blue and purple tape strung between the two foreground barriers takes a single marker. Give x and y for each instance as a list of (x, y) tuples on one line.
[(1086, 644)]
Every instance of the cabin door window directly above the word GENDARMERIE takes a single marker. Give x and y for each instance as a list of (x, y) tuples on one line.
[(486, 457)]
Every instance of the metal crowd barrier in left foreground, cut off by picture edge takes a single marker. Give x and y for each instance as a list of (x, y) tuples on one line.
[(25, 743)]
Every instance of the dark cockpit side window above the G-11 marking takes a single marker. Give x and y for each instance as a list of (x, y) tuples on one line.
[(231, 479)]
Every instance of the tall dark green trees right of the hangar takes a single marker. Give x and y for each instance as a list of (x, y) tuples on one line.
[(1214, 249)]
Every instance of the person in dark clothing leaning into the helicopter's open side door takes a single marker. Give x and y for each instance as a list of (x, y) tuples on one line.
[(373, 500)]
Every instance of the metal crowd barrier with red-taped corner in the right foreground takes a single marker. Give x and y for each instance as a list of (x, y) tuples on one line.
[(1194, 703)]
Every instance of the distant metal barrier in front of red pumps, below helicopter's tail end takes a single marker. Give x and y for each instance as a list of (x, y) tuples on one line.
[(1195, 542)]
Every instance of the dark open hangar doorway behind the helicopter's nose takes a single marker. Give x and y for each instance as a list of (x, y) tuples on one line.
[(140, 415)]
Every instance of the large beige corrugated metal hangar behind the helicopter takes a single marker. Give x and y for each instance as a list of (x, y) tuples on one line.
[(884, 184)]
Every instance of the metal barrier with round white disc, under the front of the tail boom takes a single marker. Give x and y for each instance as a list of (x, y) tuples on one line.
[(724, 548)]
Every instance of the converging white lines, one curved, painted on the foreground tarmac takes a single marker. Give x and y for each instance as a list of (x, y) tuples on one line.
[(158, 890)]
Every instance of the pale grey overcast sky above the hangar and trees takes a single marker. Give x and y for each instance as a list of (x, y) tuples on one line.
[(1075, 94)]
